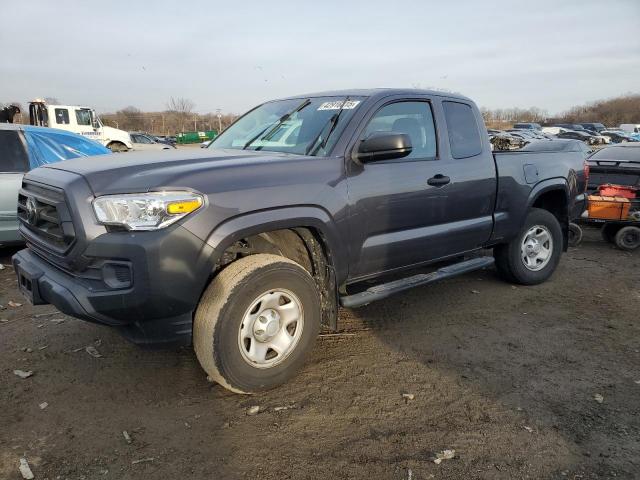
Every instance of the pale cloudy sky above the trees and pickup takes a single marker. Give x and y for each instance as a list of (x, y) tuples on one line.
[(233, 55)]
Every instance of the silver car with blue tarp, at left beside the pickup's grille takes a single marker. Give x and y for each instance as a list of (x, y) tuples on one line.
[(23, 147)]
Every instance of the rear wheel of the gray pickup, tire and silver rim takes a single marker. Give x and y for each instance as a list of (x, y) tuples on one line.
[(531, 257)]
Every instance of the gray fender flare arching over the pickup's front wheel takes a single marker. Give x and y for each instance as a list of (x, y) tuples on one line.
[(234, 229)]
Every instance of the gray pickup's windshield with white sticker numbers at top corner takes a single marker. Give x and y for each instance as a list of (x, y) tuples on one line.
[(299, 126)]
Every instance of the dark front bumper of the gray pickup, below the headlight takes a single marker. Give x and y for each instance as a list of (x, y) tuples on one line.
[(169, 270)]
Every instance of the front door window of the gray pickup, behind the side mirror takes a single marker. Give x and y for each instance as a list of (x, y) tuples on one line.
[(412, 118)]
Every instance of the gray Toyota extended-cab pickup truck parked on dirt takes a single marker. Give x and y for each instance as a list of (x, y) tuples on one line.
[(247, 248)]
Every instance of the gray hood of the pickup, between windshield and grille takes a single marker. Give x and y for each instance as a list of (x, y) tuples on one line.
[(136, 172)]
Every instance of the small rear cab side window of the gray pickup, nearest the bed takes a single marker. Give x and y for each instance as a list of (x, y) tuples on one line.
[(464, 136)]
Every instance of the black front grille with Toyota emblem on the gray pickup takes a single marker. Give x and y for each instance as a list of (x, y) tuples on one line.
[(43, 213)]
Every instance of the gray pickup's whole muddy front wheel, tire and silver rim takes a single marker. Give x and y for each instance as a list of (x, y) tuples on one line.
[(256, 322)]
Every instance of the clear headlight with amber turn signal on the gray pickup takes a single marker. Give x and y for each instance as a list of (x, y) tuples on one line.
[(146, 211)]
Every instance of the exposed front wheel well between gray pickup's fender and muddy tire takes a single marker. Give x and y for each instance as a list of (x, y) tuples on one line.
[(305, 246)]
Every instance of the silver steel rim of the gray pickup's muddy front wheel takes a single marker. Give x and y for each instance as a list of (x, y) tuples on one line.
[(271, 328)]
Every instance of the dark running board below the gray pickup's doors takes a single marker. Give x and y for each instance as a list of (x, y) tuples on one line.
[(385, 290)]
